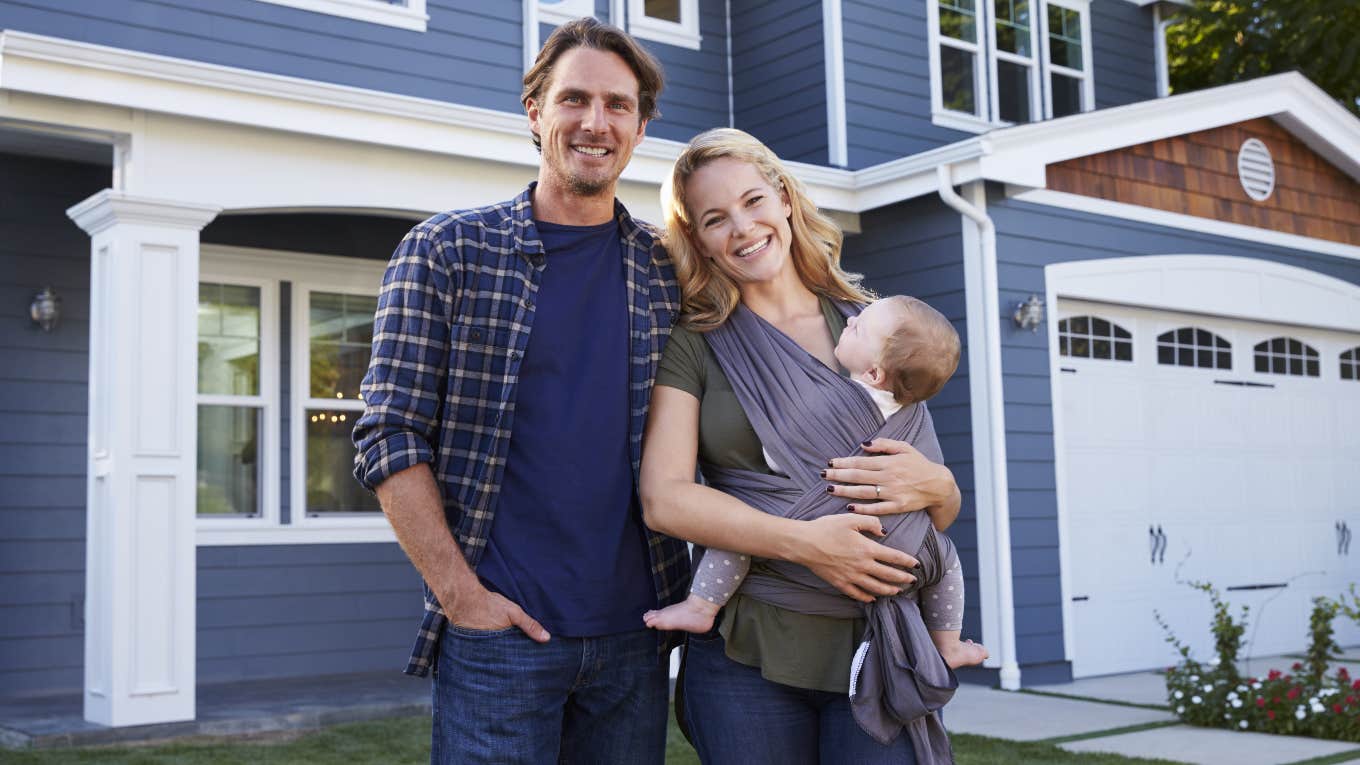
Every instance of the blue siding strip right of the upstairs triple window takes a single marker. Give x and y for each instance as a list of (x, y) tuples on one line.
[(1124, 54)]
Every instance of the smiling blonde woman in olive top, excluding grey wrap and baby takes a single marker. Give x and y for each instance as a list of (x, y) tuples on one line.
[(769, 685)]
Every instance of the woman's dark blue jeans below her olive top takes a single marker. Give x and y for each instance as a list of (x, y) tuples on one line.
[(739, 718)]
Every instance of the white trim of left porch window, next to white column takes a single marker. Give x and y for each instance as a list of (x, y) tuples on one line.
[(267, 402)]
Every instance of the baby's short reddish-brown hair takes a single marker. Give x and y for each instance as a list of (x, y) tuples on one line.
[(921, 355)]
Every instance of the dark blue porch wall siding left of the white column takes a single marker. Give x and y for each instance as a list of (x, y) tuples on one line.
[(43, 447)]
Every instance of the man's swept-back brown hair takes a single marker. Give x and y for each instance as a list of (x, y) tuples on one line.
[(598, 36)]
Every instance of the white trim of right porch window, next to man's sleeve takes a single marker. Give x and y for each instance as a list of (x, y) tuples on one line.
[(353, 284)]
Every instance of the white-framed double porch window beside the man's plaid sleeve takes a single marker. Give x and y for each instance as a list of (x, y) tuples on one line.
[(284, 346)]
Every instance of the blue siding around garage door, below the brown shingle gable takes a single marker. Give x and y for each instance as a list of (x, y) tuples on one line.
[(1030, 238)]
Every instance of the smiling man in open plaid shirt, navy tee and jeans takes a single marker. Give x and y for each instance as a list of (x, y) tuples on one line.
[(515, 352)]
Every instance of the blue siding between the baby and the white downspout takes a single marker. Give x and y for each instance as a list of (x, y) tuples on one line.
[(916, 248)]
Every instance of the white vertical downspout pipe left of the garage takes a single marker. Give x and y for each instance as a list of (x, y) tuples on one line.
[(992, 487)]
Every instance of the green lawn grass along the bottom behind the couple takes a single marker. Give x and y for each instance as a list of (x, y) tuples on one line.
[(407, 740)]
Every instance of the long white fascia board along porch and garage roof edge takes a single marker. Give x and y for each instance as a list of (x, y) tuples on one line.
[(1018, 156)]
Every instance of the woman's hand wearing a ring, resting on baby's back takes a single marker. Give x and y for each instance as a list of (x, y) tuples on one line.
[(896, 480)]
